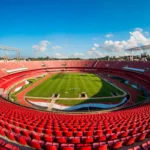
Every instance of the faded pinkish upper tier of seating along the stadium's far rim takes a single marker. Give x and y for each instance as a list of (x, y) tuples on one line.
[(31, 65)]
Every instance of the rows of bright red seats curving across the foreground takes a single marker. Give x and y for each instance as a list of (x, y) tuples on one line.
[(45, 130)]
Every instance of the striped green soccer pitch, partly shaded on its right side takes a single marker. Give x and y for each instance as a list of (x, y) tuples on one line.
[(70, 85)]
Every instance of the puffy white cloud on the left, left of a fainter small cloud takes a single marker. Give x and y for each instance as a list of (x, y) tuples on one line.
[(41, 47)]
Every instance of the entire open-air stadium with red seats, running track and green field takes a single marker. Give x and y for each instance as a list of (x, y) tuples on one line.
[(74, 104)]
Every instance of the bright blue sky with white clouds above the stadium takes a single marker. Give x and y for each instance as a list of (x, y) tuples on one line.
[(74, 28)]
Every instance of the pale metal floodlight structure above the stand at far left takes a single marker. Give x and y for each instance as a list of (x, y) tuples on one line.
[(7, 48)]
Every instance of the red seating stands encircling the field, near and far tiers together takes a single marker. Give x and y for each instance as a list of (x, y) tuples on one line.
[(30, 128)]
